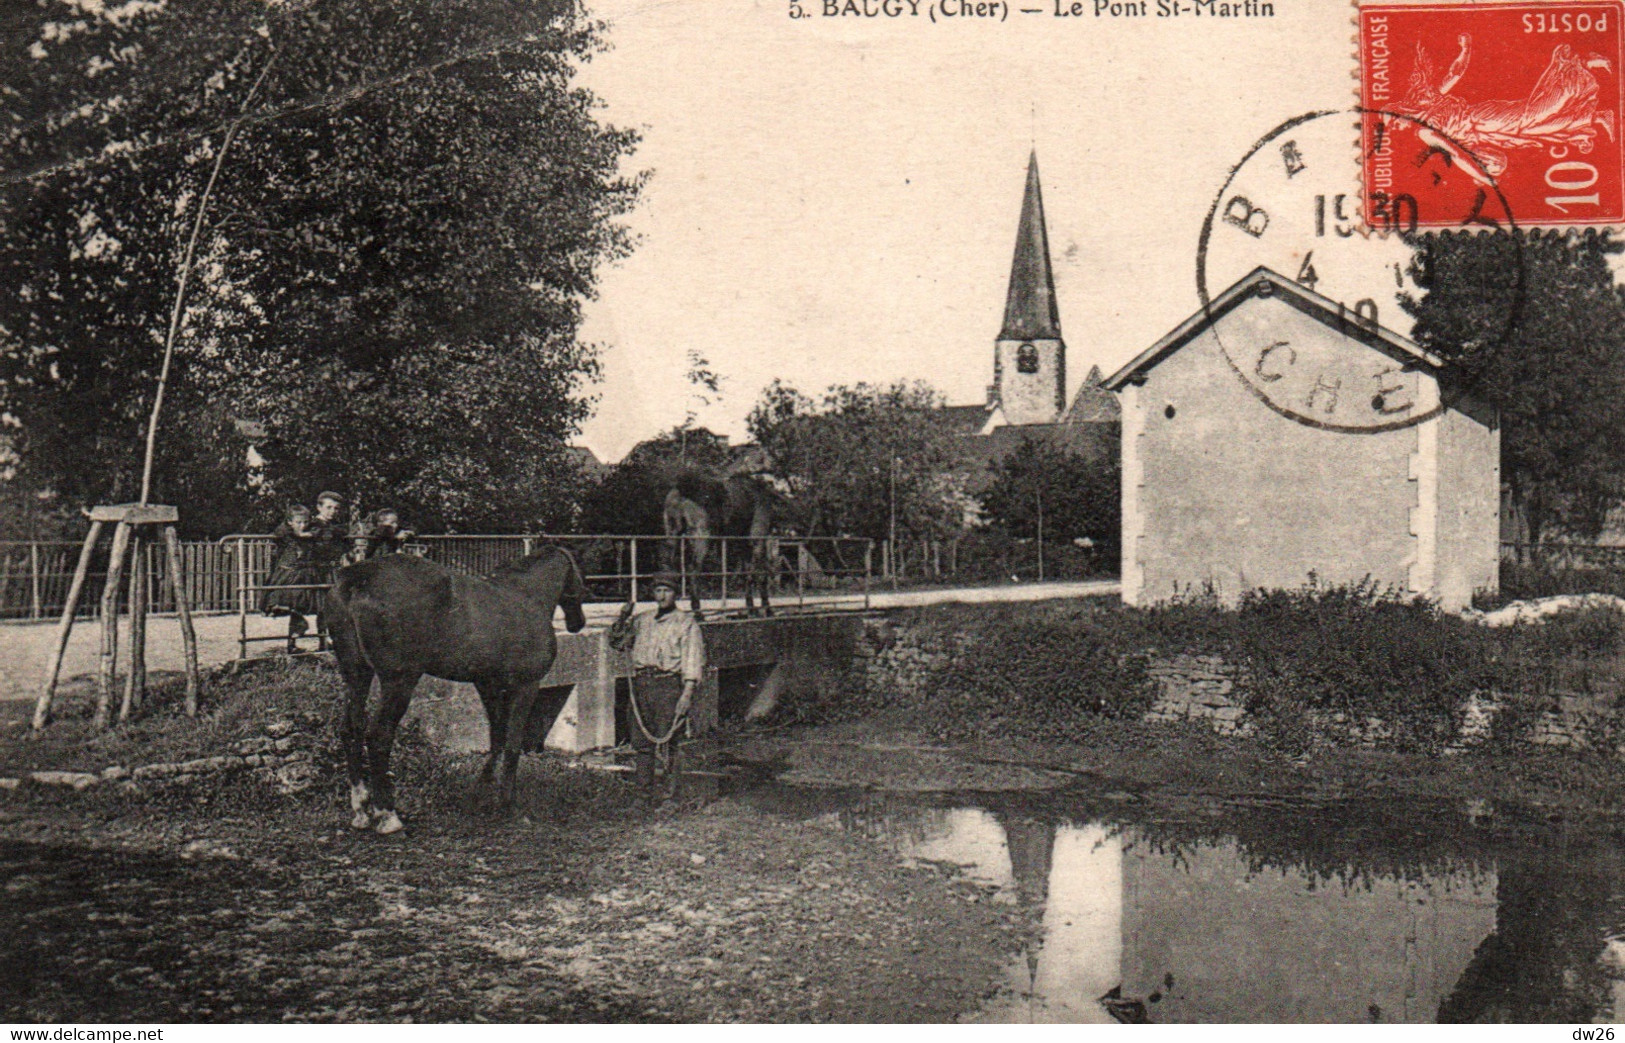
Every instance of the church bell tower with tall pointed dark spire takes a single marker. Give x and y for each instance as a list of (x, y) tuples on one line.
[(1029, 358)]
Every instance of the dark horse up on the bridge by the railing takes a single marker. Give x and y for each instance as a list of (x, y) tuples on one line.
[(701, 508)]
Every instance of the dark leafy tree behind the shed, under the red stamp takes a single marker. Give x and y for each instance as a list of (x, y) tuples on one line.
[(1556, 371)]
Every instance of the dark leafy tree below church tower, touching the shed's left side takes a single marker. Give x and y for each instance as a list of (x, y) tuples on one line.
[(1080, 498)]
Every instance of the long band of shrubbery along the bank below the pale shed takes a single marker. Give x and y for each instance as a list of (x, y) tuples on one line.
[(1325, 664)]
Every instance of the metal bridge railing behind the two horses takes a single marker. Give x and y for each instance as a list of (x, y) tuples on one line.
[(800, 574)]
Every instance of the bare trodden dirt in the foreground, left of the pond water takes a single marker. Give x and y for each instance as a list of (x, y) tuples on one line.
[(227, 907)]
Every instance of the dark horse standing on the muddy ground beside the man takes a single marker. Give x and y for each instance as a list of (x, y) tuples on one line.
[(399, 618)]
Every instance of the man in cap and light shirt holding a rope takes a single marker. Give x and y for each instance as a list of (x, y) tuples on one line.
[(669, 662)]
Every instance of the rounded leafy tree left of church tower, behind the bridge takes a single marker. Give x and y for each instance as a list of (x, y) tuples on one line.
[(856, 452)]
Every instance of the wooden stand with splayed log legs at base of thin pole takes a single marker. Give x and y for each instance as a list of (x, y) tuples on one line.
[(129, 522)]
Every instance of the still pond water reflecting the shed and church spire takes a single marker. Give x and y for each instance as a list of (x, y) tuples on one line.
[(1177, 924)]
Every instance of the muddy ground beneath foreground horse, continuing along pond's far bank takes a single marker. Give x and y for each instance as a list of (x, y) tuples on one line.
[(232, 898)]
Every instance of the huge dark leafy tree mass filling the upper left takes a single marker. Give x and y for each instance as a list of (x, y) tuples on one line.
[(392, 262)]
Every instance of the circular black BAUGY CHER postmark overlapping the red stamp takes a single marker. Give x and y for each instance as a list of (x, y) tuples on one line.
[(1294, 222)]
